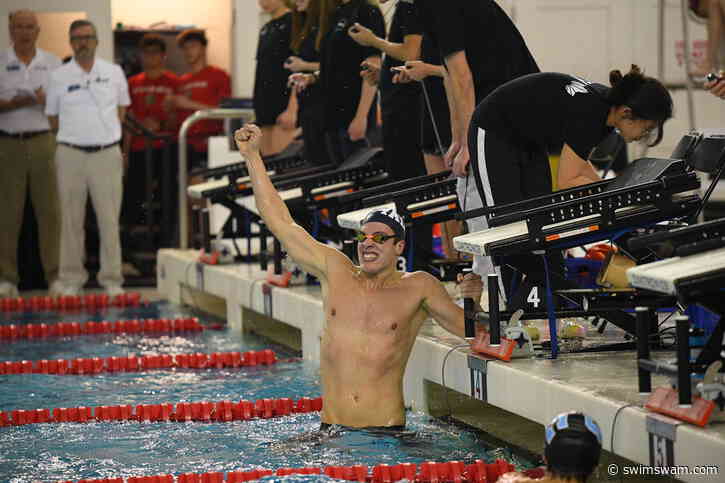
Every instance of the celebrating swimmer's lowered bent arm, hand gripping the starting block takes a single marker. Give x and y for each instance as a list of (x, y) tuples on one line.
[(440, 305)]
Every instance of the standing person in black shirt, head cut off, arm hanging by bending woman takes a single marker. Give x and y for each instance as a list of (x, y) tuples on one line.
[(481, 49)]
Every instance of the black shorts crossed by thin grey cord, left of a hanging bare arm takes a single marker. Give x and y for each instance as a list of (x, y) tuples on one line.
[(439, 104)]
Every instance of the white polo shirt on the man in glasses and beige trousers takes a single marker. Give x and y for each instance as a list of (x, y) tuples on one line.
[(86, 103)]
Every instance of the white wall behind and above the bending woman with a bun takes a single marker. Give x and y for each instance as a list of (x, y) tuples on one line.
[(592, 37)]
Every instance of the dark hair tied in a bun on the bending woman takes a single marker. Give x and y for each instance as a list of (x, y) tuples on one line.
[(645, 96)]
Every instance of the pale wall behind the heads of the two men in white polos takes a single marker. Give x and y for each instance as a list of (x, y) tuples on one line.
[(97, 11)]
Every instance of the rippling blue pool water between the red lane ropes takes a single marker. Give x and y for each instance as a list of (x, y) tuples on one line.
[(71, 451)]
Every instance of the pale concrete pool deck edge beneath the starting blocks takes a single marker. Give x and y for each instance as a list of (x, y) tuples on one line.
[(601, 384)]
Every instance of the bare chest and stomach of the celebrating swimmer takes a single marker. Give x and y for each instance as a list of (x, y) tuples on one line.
[(368, 336)]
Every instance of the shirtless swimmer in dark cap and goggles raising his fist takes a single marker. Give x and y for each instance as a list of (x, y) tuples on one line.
[(373, 311)]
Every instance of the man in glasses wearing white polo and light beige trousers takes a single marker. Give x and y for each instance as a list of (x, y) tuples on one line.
[(87, 100)]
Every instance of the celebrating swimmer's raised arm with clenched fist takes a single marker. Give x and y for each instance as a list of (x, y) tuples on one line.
[(304, 249)]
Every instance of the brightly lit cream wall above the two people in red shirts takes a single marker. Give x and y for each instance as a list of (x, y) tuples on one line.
[(213, 15)]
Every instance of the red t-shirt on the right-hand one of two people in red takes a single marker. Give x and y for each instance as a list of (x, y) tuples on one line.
[(207, 86)]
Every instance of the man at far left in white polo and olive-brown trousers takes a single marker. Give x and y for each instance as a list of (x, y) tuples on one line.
[(27, 148)]
